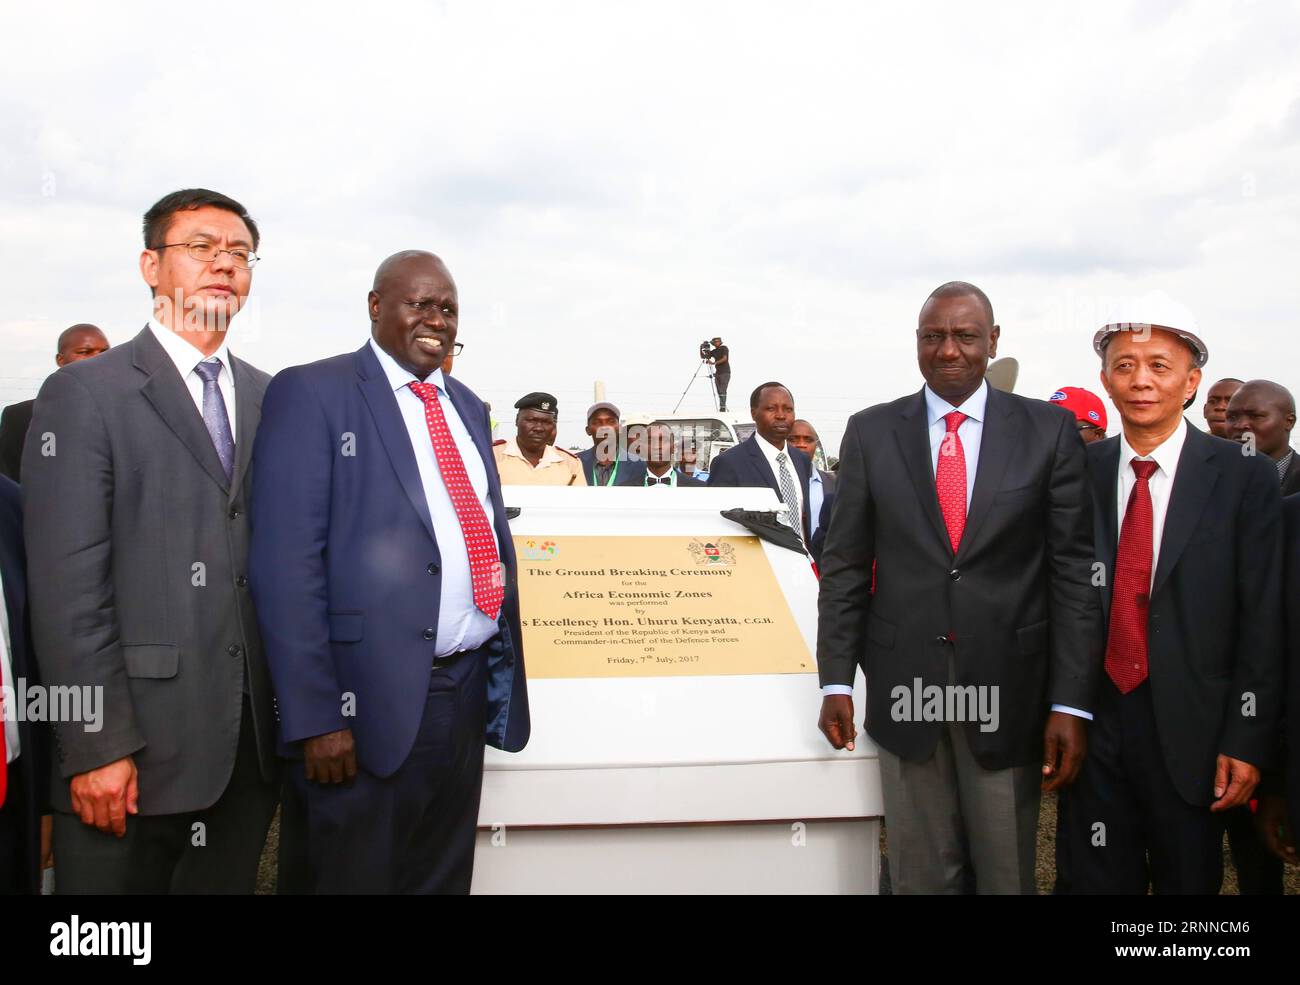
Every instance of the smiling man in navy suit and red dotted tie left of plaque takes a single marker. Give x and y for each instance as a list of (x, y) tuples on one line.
[(384, 576)]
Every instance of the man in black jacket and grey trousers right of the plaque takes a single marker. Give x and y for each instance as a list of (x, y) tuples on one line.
[(981, 527)]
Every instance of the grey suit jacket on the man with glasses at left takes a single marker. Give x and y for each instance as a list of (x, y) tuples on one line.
[(137, 559)]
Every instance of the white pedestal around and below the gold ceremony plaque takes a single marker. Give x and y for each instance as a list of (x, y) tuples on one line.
[(677, 784)]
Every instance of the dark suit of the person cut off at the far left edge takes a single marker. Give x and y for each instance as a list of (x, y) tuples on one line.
[(33, 739)]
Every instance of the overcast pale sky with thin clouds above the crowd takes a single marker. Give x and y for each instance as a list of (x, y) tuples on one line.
[(610, 184)]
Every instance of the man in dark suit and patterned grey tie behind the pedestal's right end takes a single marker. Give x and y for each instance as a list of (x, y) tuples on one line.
[(768, 459)]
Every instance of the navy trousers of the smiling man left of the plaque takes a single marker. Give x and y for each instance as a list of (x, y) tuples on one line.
[(413, 832)]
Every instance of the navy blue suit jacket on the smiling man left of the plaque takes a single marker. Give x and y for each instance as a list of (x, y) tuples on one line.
[(345, 566)]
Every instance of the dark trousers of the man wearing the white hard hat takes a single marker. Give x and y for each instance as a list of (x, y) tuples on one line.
[(1124, 826)]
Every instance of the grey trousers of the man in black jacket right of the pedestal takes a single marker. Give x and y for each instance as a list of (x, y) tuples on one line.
[(950, 818)]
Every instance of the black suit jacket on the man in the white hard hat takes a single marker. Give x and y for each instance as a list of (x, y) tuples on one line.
[(1215, 624)]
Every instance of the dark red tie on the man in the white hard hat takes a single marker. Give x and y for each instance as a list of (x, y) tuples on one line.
[(1130, 600)]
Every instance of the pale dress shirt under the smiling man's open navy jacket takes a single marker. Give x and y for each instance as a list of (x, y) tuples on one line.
[(462, 626)]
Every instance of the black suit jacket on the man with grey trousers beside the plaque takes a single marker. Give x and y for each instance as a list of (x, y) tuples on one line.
[(1015, 609)]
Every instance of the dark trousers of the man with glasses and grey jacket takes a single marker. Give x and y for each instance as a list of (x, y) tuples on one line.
[(215, 851)]
